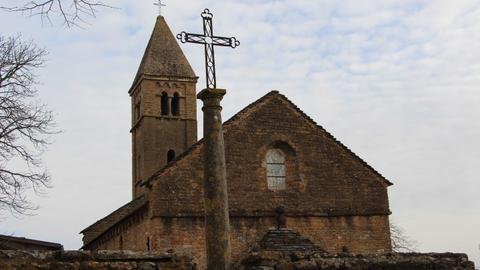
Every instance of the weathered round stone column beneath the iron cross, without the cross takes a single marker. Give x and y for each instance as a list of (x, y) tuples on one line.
[(217, 225)]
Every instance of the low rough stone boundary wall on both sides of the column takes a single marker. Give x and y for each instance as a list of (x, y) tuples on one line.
[(264, 260)]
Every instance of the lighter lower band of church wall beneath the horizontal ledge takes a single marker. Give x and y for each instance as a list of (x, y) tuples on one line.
[(357, 234)]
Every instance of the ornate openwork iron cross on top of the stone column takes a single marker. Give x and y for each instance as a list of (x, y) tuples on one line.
[(209, 40)]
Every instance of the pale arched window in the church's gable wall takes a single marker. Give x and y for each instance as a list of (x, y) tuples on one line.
[(275, 160)]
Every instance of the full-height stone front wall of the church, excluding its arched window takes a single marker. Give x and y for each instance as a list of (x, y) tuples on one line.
[(331, 196)]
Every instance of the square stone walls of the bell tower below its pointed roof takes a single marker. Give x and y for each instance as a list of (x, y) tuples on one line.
[(154, 134)]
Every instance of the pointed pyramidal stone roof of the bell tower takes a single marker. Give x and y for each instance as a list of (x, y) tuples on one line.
[(163, 56)]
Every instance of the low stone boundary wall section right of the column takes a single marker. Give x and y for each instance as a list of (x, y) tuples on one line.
[(273, 260)]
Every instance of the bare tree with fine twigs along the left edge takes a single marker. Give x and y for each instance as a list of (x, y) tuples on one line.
[(25, 125)]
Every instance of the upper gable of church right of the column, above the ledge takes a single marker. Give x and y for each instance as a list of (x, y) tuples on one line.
[(315, 174)]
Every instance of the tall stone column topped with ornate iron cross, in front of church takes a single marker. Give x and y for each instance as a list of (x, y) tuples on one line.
[(217, 225)]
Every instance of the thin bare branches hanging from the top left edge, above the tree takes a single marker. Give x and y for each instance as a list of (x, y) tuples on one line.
[(72, 12)]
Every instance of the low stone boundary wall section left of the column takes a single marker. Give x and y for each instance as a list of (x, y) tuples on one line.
[(87, 260)]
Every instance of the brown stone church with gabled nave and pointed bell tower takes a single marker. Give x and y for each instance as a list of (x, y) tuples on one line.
[(277, 157)]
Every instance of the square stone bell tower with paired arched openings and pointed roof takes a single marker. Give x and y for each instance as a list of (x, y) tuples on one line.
[(163, 96)]
